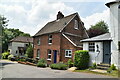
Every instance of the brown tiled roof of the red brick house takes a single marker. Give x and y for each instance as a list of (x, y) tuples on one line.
[(56, 25)]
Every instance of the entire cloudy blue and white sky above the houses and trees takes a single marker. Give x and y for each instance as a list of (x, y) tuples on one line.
[(30, 16)]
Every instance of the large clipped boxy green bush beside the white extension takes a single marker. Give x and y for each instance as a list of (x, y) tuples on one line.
[(81, 60)]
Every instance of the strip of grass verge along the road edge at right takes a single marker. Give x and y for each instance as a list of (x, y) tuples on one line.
[(113, 74)]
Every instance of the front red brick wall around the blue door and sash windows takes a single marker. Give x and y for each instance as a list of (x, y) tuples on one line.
[(44, 46)]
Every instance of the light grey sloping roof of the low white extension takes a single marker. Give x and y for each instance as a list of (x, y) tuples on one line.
[(102, 37)]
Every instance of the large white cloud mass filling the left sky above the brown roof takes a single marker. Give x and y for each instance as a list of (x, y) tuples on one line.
[(32, 19)]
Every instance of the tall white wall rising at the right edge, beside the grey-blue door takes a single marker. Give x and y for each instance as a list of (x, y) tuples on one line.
[(115, 29)]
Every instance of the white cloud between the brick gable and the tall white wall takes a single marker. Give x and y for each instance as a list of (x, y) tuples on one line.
[(96, 17)]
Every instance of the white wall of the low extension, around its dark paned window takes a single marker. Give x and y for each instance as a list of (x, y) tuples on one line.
[(93, 55)]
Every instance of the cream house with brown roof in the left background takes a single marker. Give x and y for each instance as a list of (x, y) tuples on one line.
[(18, 45)]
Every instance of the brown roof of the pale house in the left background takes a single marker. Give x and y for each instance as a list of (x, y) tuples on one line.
[(22, 39)]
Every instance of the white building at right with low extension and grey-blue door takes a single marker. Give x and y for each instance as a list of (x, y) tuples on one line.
[(104, 48)]
